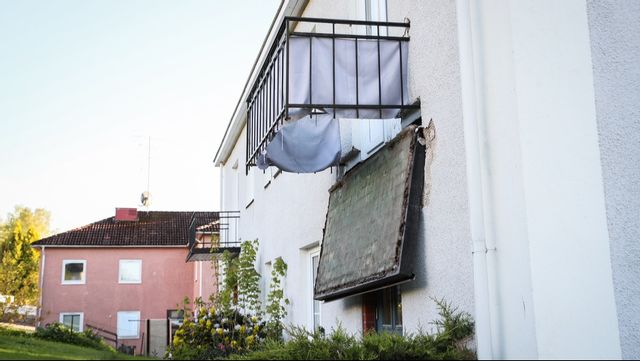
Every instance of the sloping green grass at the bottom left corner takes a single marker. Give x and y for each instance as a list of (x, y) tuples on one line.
[(17, 346)]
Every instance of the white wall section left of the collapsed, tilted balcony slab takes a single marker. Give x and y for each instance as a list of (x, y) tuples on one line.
[(286, 217)]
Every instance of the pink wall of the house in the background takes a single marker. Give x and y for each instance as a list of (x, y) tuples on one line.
[(166, 280)]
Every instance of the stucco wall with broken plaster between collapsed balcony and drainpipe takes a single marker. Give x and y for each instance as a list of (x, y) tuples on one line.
[(446, 267)]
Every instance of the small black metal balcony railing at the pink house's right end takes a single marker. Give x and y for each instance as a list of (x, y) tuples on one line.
[(213, 234)]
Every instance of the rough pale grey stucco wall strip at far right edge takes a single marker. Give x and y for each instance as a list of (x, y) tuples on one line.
[(615, 46)]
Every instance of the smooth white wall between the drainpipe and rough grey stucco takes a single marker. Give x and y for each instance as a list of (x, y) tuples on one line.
[(544, 189)]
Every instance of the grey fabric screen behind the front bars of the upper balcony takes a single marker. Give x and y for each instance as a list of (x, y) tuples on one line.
[(359, 82)]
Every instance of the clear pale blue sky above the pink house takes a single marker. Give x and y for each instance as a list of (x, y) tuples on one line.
[(84, 83)]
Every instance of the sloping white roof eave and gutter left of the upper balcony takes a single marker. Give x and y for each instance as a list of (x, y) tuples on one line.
[(234, 127)]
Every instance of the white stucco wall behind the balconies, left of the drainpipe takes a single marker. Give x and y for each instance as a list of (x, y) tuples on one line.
[(288, 216)]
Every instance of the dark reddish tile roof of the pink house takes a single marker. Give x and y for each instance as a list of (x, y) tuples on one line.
[(151, 229)]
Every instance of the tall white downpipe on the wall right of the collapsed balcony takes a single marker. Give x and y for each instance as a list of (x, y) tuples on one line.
[(471, 119)]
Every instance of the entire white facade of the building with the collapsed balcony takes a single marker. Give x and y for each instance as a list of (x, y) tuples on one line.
[(530, 216)]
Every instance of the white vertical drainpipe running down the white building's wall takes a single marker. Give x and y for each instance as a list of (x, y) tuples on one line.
[(484, 269)]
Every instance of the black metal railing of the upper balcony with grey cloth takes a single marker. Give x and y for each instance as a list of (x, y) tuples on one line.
[(269, 103)]
